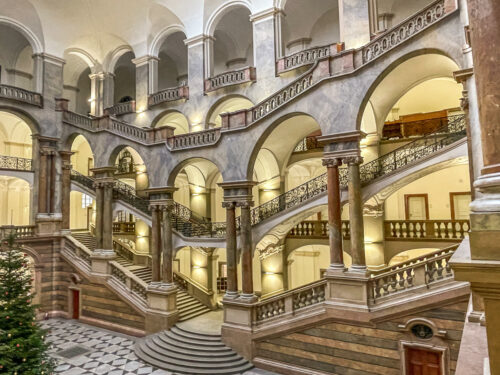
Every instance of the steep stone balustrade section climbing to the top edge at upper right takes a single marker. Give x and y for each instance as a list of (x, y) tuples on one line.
[(404, 31)]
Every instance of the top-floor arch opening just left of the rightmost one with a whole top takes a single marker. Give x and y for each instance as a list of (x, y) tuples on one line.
[(172, 67)]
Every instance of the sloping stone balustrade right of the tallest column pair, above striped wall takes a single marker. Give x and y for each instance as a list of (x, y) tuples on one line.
[(418, 272)]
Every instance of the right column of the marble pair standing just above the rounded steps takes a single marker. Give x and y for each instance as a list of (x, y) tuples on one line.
[(246, 252)]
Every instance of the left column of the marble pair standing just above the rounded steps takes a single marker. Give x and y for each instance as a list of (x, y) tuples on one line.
[(231, 259)]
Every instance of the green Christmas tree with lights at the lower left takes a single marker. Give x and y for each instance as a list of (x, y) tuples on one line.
[(23, 350)]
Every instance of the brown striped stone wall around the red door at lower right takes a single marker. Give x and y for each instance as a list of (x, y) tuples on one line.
[(340, 348)]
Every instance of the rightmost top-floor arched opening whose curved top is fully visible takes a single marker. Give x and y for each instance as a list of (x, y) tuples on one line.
[(233, 45)]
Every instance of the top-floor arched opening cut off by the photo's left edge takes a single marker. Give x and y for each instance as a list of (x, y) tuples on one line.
[(16, 59)]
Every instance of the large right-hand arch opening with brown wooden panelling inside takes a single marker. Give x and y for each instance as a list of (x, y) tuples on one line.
[(404, 106)]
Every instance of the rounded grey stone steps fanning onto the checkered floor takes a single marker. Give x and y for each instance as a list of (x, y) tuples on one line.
[(187, 352)]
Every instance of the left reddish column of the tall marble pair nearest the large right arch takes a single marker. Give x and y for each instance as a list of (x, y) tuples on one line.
[(334, 215)]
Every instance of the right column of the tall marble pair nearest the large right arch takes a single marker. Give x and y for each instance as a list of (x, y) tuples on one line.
[(356, 215)]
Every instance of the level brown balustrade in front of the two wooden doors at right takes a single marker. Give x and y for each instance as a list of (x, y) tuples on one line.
[(451, 230)]
